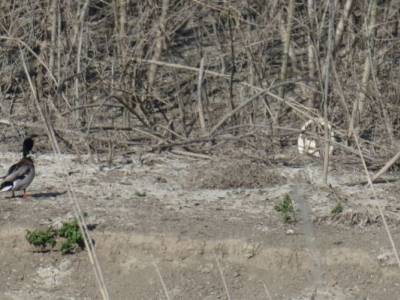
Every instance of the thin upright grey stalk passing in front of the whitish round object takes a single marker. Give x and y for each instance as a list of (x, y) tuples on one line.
[(326, 88)]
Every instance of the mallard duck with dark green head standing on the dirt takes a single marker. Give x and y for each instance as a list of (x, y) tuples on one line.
[(21, 174)]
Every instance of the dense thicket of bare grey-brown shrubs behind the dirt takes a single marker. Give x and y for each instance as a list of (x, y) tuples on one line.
[(198, 73)]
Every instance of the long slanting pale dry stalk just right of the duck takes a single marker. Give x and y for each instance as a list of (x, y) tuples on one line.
[(75, 204)]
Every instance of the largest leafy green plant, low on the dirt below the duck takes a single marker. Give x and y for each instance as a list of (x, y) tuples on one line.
[(69, 235)]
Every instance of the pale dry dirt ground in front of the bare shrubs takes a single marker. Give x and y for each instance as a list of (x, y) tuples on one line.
[(185, 217)]
